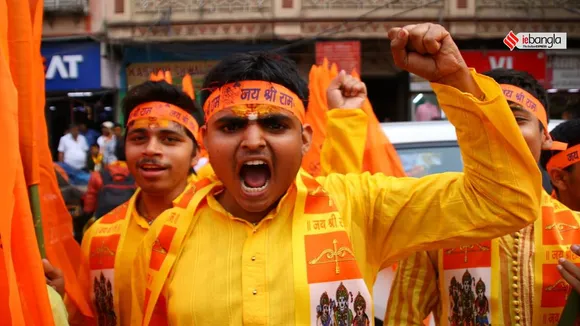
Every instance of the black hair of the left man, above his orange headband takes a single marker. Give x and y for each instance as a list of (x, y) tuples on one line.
[(161, 91)]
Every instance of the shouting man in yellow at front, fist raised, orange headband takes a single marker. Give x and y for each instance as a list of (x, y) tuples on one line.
[(263, 243)]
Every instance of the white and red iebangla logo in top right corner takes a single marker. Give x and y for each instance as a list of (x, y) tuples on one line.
[(526, 40)]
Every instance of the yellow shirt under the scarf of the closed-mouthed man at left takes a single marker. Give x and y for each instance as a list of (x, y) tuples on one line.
[(136, 230)]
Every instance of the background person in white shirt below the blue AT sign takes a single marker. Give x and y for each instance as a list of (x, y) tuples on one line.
[(72, 155)]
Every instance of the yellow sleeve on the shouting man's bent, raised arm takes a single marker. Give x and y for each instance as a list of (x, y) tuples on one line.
[(498, 193)]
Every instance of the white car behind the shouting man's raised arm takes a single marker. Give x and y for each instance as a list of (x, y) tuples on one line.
[(424, 148)]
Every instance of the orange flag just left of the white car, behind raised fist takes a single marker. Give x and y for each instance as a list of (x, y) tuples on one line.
[(380, 155)]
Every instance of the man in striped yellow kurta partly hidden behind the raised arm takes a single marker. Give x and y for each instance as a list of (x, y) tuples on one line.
[(512, 280)]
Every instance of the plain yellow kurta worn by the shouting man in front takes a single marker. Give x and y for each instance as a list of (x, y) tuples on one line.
[(231, 272)]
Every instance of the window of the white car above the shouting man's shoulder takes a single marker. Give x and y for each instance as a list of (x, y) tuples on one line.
[(422, 159)]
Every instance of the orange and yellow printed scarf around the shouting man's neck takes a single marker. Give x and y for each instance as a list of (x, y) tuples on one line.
[(329, 285)]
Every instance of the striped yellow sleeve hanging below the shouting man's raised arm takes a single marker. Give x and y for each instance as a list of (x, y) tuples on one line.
[(414, 294)]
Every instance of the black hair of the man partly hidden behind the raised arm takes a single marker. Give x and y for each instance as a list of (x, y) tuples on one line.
[(524, 81)]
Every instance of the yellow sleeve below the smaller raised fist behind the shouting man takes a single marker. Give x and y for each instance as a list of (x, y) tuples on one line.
[(344, 145)]
